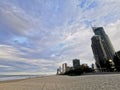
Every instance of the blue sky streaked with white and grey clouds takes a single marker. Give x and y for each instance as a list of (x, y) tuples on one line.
[(37, 36)]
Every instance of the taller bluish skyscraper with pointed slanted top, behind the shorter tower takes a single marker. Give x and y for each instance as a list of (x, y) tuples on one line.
[(110, 50)]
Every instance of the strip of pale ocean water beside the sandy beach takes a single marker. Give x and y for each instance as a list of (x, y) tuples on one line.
[(16, 77)]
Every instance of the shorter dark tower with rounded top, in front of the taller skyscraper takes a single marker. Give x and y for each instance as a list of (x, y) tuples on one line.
[(99, 51)]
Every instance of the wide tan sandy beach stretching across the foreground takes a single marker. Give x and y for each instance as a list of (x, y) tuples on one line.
[(87, 82)]
